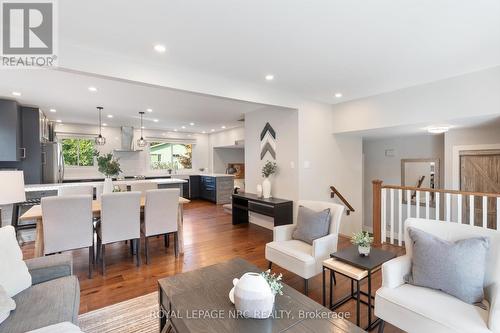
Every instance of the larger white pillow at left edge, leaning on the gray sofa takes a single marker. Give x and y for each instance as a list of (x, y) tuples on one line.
[(15, 276)]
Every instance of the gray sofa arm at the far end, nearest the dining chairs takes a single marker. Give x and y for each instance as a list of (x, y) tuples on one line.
[(48, 268)]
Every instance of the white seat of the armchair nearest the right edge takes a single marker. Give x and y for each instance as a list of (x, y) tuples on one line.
[(418, 309)]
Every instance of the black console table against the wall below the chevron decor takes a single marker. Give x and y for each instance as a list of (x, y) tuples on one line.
[(279, 209)]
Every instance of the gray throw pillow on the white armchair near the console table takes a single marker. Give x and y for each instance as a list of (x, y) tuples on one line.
[(311, 224)]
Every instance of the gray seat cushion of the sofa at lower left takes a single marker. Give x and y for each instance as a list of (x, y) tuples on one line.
[(44, 304)]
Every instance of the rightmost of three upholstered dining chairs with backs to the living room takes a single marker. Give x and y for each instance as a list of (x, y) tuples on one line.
[(161, 213)]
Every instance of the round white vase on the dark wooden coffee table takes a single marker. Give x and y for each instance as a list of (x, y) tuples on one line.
[(252, 296)]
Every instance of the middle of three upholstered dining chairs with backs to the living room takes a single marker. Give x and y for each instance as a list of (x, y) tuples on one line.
[(120, 220)]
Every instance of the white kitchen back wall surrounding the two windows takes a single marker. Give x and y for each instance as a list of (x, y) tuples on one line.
[(132, 163)]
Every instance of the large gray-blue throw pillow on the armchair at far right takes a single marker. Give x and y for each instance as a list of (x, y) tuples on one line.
[(456, 268)]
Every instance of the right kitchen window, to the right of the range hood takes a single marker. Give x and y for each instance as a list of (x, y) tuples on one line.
[(165, 155)]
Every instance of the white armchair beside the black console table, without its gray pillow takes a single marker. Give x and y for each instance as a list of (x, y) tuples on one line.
[(299, 257)]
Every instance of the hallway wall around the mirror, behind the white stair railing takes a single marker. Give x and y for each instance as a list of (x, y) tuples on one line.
[(388, 169)]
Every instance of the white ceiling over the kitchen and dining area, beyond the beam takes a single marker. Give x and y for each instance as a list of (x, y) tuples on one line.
[(68, 94)]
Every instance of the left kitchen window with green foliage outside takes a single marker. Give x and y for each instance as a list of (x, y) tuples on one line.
[(78, 152)]
